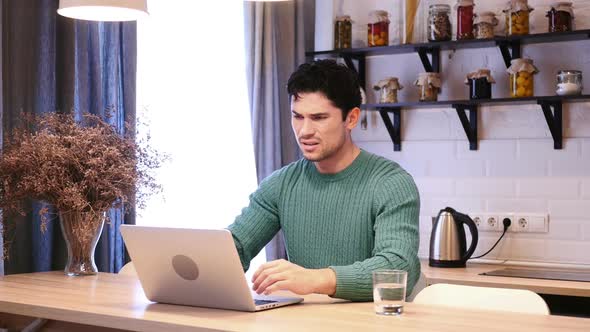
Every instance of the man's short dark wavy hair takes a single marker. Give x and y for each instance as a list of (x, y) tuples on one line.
[(337, 82)]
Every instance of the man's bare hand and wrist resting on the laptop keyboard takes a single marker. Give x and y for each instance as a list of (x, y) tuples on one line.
[(283, 275)]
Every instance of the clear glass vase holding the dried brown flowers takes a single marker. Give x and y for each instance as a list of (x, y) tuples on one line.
[(81, 231)]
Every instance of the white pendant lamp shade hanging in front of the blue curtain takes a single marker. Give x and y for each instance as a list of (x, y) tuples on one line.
[(103, 10)]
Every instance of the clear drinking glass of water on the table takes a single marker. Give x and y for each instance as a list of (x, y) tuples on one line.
[(389, 291)]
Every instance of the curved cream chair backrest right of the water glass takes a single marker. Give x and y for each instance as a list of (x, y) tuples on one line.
[(483, 298)]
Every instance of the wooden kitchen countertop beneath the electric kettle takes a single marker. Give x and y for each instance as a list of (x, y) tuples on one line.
[(470, 275)]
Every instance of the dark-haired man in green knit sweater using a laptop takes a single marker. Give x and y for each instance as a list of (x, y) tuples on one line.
[(344, 212)]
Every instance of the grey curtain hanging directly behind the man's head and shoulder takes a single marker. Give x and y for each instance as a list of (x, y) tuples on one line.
[(277, 36)]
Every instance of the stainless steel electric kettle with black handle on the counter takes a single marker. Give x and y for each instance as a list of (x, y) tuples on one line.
[(447, 240)]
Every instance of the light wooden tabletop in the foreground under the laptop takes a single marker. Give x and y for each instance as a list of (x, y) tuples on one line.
[(117, 301)]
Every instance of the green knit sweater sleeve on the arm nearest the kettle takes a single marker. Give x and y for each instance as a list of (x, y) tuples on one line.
[(397, 205)]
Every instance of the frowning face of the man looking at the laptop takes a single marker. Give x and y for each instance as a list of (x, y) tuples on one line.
[(318, 126)]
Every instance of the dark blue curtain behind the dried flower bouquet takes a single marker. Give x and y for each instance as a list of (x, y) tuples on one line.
[(52, 63)]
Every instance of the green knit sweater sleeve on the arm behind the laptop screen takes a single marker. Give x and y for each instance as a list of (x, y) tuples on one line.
[(259, 221)]
